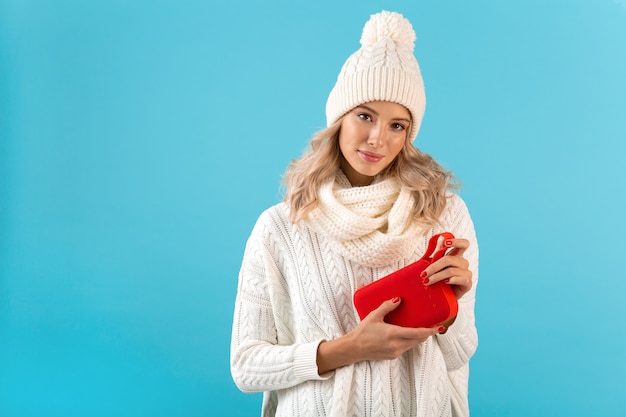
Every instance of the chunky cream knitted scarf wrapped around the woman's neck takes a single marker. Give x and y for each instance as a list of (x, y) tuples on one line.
[(371, 225)]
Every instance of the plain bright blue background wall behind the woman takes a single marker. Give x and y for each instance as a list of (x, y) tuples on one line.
[(140, 140)]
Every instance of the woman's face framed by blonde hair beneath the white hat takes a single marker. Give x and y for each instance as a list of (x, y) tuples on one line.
[(371, 137)]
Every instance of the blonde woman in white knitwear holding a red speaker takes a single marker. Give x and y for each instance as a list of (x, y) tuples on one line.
[(361, 203)]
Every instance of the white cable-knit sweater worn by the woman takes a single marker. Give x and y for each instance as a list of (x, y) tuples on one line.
[(295, 290)]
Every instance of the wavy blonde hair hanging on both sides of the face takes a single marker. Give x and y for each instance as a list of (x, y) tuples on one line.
[(428, 181)]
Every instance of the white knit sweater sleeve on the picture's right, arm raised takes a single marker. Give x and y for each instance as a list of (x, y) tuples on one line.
[(459, 343)]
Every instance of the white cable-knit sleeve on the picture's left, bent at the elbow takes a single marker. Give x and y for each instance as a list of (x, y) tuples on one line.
[(258, 361)]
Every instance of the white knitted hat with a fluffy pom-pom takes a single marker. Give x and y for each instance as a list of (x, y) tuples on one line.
[(384, 69)]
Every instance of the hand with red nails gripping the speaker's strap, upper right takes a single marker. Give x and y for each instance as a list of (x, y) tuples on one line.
[(452, 268)]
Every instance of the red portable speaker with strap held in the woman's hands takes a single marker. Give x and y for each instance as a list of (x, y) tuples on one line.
[(421, 305)]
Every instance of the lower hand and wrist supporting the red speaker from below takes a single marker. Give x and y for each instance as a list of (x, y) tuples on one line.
[(372, 339)]
